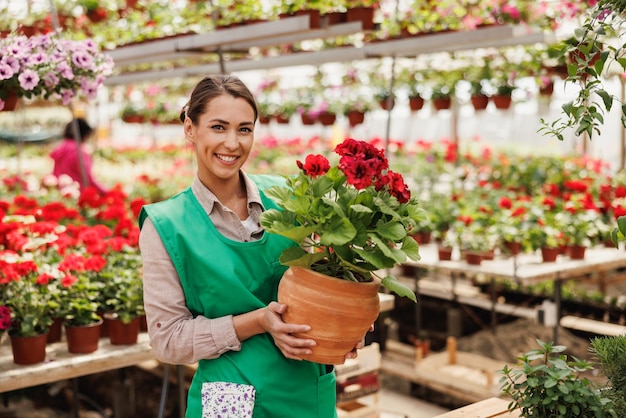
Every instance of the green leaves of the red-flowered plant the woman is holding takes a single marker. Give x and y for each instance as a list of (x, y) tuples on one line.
[(343, 231)]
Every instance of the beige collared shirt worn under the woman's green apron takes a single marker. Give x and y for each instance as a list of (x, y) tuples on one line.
[(175, 336)]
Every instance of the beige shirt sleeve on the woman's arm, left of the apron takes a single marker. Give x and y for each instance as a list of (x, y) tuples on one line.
[(175, 336)]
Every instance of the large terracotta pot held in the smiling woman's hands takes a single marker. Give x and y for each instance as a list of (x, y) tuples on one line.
[(339, 312)]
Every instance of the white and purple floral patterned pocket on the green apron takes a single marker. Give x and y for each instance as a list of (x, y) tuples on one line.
[(227, 400)]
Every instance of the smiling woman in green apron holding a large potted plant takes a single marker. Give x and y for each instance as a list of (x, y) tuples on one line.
[(210, 282)]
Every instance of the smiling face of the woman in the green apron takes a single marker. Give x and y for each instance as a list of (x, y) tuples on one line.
[(222, 138)]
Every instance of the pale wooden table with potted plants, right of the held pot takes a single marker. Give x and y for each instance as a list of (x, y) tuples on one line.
[(527, 269)]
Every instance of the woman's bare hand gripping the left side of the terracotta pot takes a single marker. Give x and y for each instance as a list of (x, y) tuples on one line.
[(291, 346)]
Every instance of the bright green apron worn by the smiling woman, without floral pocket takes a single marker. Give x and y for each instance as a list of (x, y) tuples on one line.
[(222, 277)]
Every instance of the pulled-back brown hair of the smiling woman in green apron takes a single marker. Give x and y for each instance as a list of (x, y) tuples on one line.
[(213, 86)]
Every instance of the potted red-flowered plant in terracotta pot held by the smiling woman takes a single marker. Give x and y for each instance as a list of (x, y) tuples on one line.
[(349, 223)]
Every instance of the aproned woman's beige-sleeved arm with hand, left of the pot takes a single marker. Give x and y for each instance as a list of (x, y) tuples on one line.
[(178, 338)]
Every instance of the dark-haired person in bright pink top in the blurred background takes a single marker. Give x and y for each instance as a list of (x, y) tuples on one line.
[(66, 157)]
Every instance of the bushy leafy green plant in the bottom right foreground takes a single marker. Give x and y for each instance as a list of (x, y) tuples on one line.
[(545, 384)]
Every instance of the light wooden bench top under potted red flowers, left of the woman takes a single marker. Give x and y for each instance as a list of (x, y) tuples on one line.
[(61, 365)]
